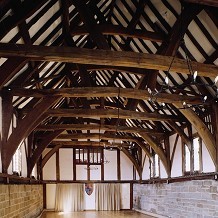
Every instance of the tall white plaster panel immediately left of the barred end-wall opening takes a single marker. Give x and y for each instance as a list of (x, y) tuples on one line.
[(66, 164)]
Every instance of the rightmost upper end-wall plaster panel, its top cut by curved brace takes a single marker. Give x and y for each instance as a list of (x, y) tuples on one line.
[(126, 167)]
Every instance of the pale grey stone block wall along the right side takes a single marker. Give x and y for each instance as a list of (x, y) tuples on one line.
[(197, 198)]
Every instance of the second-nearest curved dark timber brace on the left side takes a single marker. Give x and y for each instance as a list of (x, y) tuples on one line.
[(40, 148)]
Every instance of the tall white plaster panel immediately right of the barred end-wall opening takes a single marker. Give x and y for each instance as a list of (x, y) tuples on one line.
[(110, 169)]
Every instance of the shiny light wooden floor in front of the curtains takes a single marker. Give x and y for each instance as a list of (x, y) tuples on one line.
[(94, 214)]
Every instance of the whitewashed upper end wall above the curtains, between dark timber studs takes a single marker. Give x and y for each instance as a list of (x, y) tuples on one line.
[(66, 167)]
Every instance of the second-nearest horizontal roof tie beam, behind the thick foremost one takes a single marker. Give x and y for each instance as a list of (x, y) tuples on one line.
[(88, 92)]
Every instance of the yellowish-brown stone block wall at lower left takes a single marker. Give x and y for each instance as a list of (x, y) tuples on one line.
[(21, 201)]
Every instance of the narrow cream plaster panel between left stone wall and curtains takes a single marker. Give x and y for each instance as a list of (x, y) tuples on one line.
[(50, 196)]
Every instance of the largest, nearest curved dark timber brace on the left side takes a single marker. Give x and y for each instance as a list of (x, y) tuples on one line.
[(24, 128)]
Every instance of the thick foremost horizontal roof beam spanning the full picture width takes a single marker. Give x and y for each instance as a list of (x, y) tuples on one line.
[(102, 57)]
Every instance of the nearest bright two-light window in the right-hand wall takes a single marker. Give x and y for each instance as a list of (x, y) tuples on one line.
[(192, 159)]
